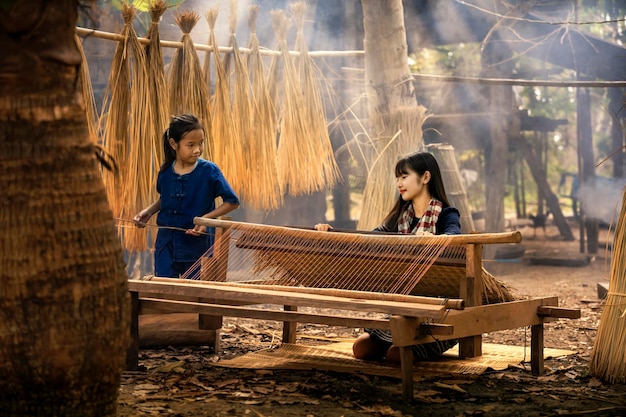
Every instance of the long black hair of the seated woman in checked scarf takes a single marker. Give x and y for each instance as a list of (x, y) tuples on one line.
[(419, 162)]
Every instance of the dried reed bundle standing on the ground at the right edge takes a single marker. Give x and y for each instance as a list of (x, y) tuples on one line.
[(608, 359)]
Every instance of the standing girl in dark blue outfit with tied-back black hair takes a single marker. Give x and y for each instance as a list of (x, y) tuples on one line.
[(188, 186)]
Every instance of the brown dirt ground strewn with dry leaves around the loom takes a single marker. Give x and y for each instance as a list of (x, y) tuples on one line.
[(184, 381)]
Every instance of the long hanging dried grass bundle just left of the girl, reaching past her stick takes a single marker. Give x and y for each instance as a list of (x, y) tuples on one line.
[(127, 116)]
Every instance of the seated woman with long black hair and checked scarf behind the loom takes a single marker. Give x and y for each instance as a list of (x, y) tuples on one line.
[(421, 208)]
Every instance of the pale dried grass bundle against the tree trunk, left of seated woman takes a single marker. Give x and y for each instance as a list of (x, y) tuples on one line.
[(402, 135)]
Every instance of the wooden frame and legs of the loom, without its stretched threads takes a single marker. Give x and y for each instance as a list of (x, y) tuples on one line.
[(411, 319)]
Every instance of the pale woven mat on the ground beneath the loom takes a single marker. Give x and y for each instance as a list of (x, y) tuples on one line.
[(338, 357)]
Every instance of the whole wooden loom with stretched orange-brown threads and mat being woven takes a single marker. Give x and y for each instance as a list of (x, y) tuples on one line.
[(421, 288)]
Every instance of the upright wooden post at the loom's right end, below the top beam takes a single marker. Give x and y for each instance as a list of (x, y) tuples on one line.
[(471, 292)]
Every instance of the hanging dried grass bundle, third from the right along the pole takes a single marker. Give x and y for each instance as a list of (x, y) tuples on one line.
[(262, 147)]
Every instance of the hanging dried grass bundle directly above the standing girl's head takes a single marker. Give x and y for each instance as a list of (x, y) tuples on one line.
[(185, 80)]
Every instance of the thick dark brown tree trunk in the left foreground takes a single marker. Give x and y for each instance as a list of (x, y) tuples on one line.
[(64, 298)]
